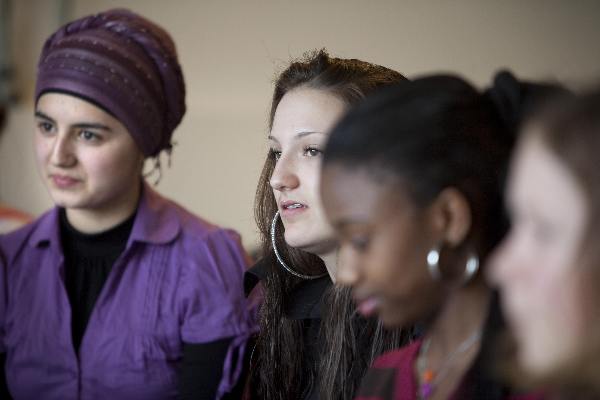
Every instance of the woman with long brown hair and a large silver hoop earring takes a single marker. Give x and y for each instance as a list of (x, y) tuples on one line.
[(312, 344)]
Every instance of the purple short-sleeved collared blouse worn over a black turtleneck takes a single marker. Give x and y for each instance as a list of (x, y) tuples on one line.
[(178, 280)]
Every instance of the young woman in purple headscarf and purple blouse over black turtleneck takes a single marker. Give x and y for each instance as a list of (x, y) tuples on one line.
[(116, 292)]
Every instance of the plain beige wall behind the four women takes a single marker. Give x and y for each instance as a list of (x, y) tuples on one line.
[(230, 51)]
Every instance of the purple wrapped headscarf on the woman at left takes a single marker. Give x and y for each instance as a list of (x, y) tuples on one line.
[(126, 65)]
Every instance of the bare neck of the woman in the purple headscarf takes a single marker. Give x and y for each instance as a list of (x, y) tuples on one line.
[(101, 219)]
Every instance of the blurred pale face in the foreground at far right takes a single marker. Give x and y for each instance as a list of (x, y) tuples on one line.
[(545, 288)]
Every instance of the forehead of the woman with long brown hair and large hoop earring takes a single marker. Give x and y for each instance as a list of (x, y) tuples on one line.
[(306, 110)]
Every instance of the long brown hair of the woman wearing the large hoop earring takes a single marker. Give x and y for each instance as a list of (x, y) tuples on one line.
[(351, 342)]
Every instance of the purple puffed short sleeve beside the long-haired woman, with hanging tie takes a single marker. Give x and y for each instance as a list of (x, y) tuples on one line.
[(212, 301)]
